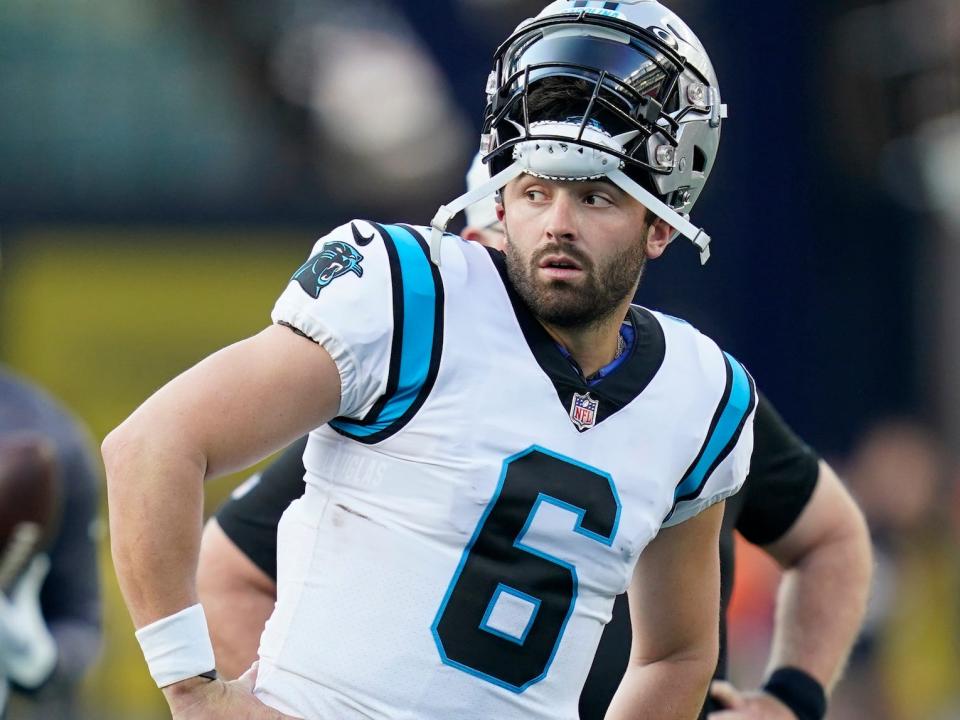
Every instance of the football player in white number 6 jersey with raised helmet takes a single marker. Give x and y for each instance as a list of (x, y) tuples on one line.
[(499, 443)]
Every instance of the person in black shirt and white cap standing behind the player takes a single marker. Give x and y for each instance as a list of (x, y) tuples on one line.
[(792, 504)]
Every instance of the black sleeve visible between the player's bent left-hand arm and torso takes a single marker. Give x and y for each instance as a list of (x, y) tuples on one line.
[(249, 517)]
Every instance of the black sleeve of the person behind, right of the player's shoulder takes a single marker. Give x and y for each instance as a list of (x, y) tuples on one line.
[(783, 475)]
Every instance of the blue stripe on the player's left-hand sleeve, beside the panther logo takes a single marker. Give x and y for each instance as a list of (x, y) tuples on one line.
[(418, 326)]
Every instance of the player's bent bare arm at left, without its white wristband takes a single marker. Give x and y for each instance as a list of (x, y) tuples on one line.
[(227, 412)]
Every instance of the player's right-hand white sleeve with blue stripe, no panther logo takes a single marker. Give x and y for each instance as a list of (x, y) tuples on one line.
[(720, 467)]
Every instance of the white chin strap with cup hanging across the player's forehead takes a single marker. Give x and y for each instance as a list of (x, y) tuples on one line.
[(568, 160)]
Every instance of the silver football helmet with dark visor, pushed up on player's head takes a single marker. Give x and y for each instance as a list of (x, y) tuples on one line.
[(650, 121)]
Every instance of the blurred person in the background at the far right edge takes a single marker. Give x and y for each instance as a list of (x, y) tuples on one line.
[(907, 662)]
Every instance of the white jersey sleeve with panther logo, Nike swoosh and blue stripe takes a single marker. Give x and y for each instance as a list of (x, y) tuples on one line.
[(371, 297)]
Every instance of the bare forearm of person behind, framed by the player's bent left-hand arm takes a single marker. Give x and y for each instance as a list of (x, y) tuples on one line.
[(238, 598)]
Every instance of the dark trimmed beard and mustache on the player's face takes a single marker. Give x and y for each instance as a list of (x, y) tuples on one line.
[(588, 301)]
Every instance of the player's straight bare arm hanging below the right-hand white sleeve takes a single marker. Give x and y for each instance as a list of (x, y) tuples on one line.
[(674, 604)]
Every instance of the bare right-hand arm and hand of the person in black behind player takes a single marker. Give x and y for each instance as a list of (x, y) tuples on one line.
[(827, 560)]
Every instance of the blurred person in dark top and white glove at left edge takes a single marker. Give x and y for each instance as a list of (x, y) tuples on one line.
[(50, 624)]
